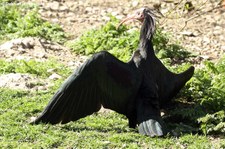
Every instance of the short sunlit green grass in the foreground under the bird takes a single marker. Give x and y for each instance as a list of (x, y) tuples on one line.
[(101, 130)]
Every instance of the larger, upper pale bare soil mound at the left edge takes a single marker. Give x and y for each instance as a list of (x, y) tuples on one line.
[(38, 49)]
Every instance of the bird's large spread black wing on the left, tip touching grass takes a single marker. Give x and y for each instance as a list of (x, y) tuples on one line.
[(101, 80)]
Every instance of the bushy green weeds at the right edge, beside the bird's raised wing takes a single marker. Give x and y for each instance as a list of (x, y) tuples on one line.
[(204, 99)]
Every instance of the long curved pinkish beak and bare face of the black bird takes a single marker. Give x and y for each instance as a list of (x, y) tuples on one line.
[(136, 16)]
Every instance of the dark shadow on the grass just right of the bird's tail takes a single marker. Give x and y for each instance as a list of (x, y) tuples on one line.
[(182, 117)]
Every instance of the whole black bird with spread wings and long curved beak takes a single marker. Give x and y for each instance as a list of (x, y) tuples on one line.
[(137, 89)]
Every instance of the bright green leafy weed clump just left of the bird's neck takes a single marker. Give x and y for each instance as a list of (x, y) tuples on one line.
[(120, 42)]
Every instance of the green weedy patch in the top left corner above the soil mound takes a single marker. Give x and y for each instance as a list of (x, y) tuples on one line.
[(22, 20)]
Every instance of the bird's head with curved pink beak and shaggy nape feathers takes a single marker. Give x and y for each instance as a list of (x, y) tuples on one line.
[(147, 17)]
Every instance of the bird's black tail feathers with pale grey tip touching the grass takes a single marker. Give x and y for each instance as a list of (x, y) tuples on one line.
[(148, 110)]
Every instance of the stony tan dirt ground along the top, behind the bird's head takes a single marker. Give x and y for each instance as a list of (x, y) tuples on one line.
[(200, 28)]
